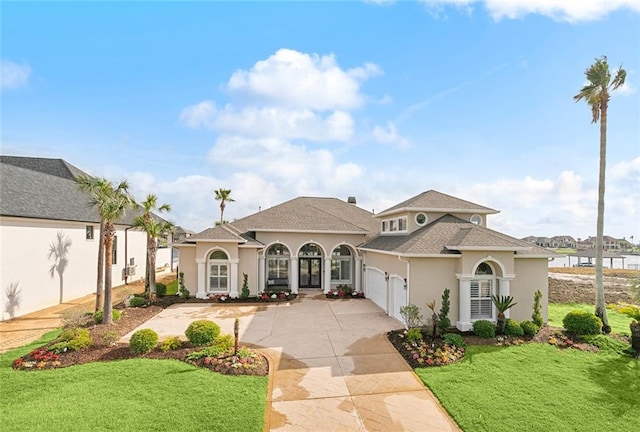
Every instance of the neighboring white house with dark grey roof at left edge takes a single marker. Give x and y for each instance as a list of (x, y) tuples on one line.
[(49, 238)]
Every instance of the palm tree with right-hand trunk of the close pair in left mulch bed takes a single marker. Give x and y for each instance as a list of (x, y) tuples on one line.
[(112, 202)]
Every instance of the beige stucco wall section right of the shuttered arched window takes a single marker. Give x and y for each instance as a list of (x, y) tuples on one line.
[(531, 275)]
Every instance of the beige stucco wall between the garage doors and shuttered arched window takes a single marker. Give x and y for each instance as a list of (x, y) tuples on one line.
[(428, 279)]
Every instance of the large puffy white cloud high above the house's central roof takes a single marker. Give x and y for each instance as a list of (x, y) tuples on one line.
[(296, 80)]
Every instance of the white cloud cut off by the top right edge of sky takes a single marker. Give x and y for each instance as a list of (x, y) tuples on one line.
[(560, 10)]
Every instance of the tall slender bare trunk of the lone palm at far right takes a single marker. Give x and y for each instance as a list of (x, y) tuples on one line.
[(601, 309)]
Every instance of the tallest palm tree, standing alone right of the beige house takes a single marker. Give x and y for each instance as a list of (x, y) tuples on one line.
[(596, 93)]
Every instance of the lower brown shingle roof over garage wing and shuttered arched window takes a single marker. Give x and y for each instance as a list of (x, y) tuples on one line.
[(449, 235)]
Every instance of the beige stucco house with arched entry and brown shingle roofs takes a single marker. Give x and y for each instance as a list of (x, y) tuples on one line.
[(409, 253)]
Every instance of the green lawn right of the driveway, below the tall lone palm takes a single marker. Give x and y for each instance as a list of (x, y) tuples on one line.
[(537, 387)]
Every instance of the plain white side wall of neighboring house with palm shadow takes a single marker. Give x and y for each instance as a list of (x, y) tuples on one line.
[(24, 249)]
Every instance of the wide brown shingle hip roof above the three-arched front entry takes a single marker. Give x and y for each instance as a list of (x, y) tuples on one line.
[(310, 214)]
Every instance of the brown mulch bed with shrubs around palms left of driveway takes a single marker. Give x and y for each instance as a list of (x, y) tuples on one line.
[(103, 350)]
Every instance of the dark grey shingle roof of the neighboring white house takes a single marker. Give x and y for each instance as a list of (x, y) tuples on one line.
[(46, 189)]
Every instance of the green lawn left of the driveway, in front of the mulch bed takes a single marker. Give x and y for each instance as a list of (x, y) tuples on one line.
[(130, 395)]
